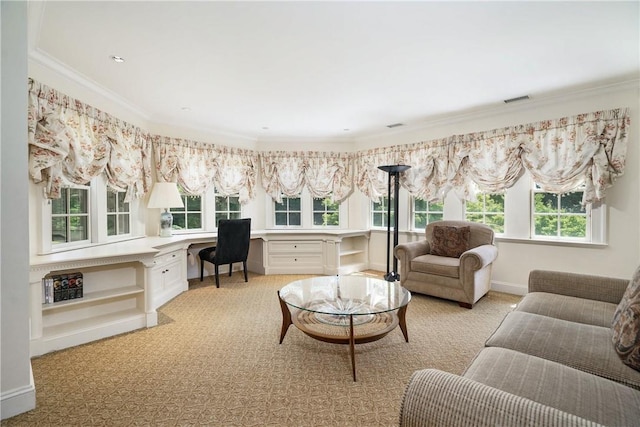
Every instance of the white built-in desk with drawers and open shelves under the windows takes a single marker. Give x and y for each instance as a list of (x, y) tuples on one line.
[(125, 282)]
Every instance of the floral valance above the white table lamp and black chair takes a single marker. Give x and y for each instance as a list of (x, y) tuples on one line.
[(196, 166)]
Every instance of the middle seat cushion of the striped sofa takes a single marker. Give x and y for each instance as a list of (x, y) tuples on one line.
[(584, 347)]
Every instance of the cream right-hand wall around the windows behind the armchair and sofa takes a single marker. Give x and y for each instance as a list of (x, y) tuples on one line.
[(619, 258)]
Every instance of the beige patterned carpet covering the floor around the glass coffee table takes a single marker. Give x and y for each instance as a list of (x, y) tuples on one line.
[(215, 360)]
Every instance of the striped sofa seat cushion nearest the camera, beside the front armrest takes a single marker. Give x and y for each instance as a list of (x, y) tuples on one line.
[(556, 385)]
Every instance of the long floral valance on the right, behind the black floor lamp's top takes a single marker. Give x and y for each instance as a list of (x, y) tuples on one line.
[(560, 154)]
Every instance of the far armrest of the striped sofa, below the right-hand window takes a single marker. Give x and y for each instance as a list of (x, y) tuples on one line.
[(578, 285)]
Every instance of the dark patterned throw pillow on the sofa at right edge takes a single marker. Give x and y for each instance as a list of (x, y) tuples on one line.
[(626, 324)]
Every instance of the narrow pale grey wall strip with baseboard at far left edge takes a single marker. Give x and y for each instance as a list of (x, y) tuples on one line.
[(17, 390)]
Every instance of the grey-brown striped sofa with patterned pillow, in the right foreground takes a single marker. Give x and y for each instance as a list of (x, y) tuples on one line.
[(568, 354)]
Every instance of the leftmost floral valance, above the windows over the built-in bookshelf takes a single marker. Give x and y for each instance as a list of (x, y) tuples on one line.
[(71, 142)]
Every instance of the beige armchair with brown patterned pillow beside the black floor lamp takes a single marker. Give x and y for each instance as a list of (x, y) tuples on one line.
[(464, 279)]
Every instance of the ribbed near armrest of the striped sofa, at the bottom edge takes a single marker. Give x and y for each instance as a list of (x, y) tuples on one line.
[(438, 398)]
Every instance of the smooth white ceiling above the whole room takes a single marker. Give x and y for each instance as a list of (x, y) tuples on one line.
[(331, 70)]
